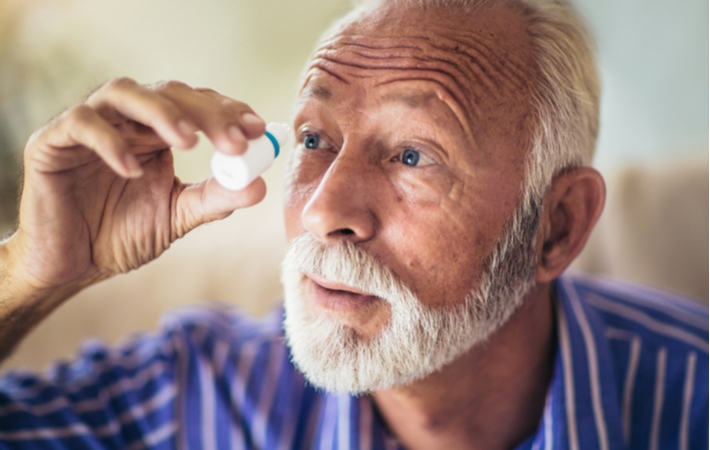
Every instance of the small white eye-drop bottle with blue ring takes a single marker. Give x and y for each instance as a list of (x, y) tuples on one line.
[(235, 172)]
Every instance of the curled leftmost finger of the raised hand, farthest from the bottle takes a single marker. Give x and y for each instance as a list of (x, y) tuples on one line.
[(82, 126)]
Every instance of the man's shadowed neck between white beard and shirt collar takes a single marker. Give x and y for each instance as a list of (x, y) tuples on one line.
[(492, 397)]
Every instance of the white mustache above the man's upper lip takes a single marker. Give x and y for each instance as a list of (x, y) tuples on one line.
[(345, 263)]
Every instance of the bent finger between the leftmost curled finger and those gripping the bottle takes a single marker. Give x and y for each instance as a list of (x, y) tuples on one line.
[(136, 102)]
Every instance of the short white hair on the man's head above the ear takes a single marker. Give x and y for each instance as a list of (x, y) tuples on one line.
[(565, 92)]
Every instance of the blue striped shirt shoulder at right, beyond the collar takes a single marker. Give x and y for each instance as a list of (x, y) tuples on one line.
[(656, 345)]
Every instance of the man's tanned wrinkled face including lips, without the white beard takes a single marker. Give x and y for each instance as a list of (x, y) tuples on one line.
[(411, 129)]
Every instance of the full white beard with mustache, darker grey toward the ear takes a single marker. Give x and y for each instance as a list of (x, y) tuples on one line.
[(417, 340)]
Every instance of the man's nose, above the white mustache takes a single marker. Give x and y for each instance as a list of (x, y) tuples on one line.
[(339, 208)]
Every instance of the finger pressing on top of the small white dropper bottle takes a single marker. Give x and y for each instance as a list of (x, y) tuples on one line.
[(229, 124)]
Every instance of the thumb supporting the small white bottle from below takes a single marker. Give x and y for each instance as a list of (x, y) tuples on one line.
[(206, 201)]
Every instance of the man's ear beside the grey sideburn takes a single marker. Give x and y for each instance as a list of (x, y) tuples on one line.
[(573, 205)]
